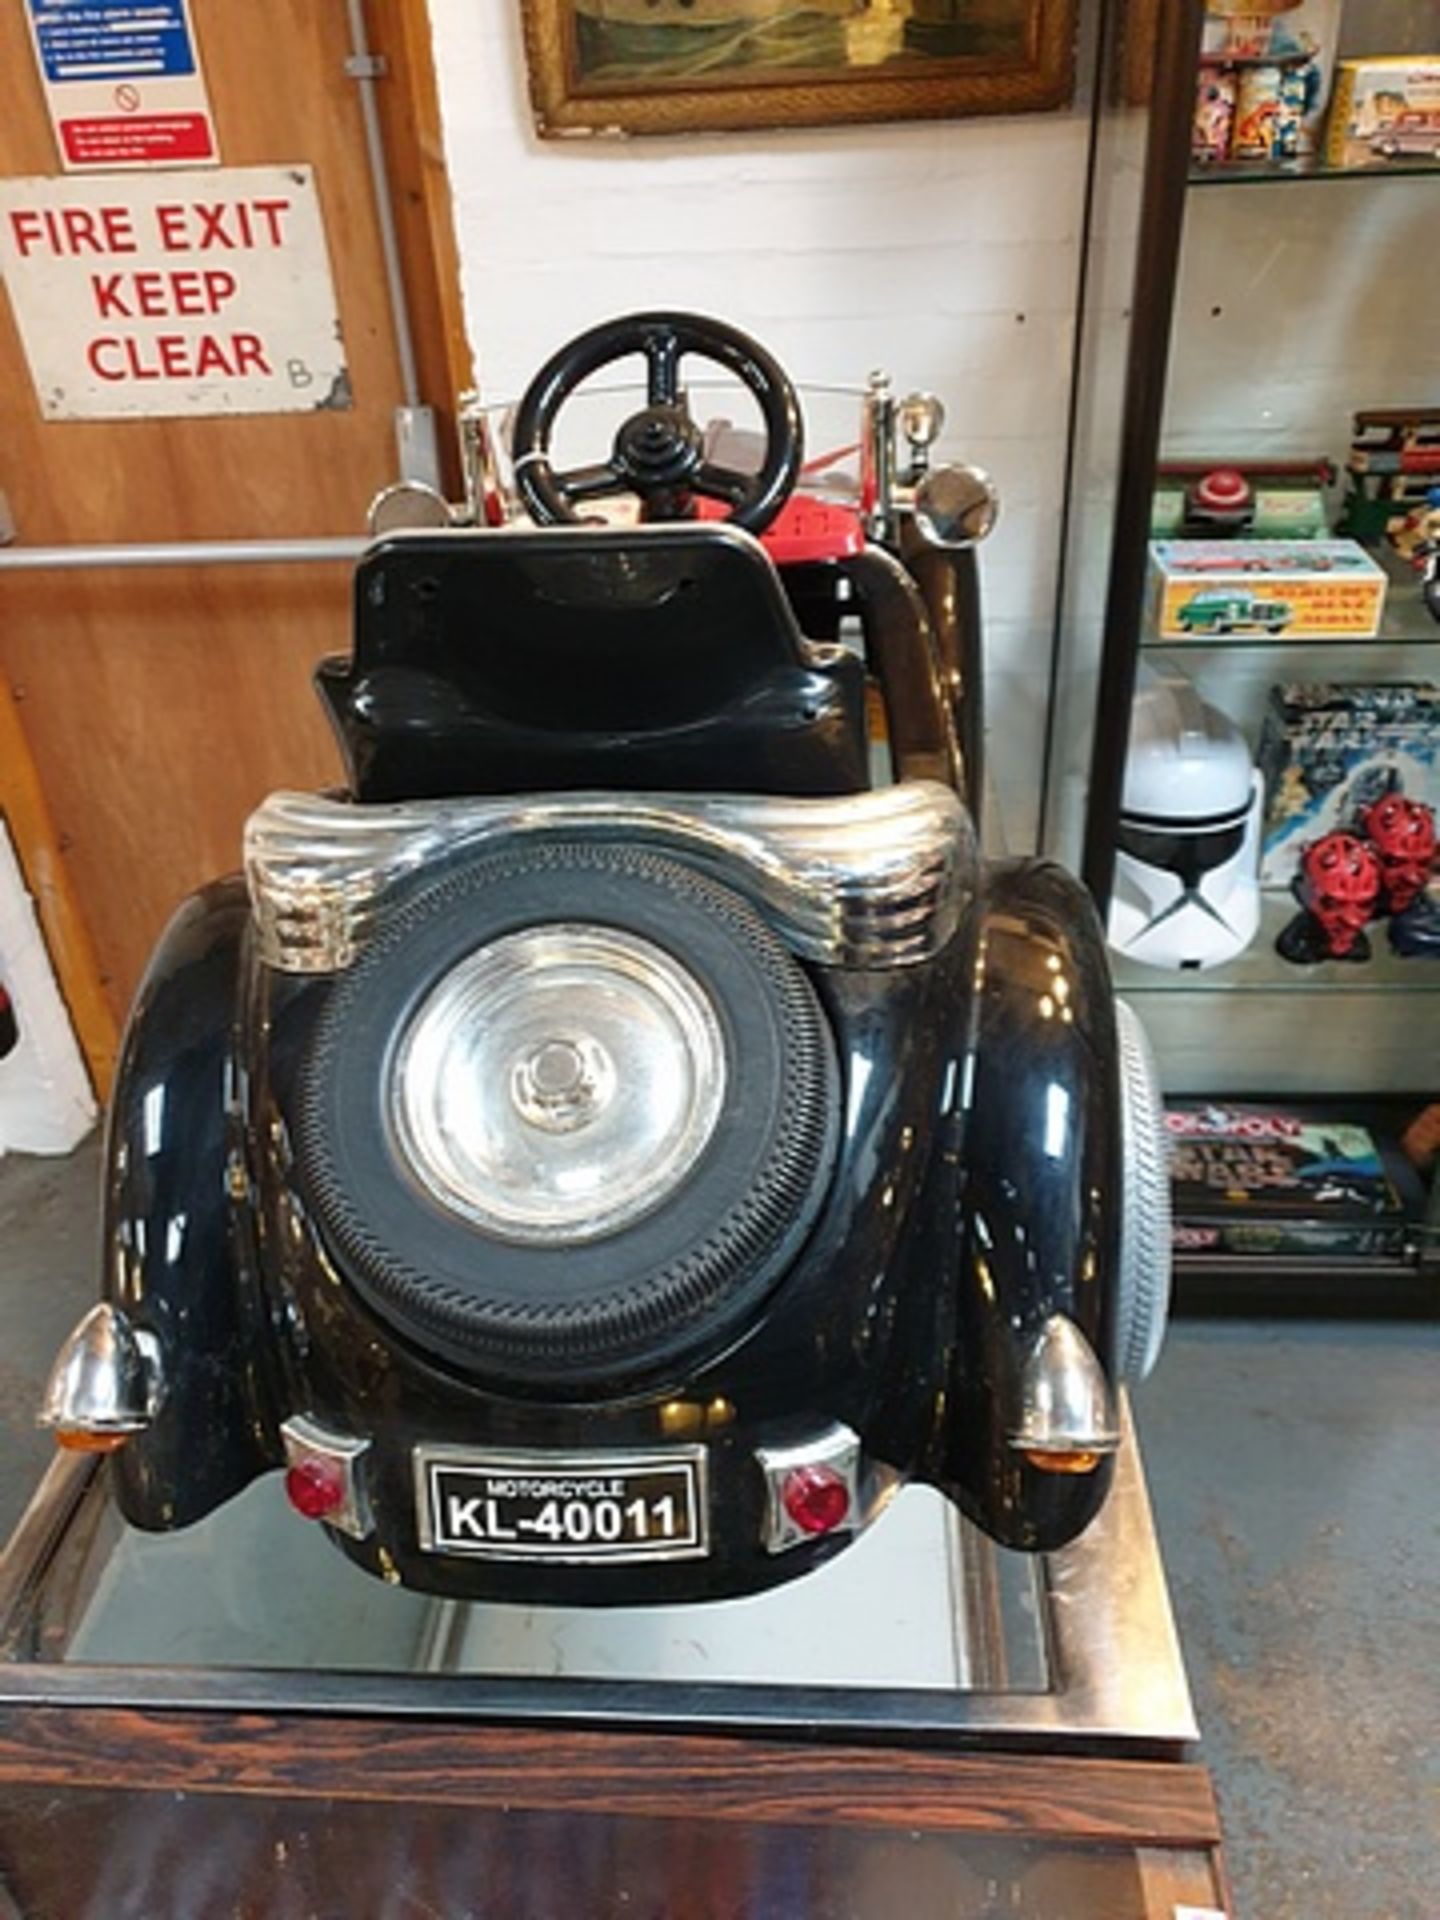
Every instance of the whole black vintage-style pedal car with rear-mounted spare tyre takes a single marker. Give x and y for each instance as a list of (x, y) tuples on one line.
[(631, 1132)]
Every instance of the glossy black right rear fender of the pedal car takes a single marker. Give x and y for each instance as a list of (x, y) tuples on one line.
[(1038, 1120)]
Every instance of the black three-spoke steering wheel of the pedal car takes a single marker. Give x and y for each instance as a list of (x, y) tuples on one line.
[(660, 452)]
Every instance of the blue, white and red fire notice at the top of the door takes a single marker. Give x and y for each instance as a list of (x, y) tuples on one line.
[(124, 85)]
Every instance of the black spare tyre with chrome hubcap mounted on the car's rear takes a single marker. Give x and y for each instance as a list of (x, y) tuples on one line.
[(571, 1115)]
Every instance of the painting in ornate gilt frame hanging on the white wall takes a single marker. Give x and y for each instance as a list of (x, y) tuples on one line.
[(690, 66)]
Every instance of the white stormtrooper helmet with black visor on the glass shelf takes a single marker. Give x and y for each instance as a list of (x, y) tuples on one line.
[(1188, 861)]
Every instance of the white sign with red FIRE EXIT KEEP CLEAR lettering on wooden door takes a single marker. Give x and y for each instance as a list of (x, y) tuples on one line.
[(172, 295)]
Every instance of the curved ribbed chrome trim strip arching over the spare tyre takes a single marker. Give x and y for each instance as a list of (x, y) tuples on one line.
[(871, 880)]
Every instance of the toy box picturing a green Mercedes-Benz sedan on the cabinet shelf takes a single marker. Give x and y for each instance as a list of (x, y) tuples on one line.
[(1282, 588)]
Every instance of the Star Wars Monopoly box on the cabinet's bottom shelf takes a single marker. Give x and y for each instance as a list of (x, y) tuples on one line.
[(1262, 1180)]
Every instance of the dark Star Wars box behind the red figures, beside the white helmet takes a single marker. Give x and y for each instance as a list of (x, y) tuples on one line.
[(1328, 752)]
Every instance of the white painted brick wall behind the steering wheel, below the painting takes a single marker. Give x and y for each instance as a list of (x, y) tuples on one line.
[(946, 252)]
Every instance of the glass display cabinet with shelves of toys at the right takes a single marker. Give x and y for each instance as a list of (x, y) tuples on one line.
[(1257, 433)]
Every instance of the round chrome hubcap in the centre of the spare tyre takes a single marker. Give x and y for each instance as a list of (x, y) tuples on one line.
[(560, 1084)]
